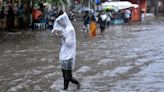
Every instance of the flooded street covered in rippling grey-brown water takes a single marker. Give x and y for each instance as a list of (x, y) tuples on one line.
[(130, 58)]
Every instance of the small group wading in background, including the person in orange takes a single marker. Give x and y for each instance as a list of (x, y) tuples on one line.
[(90, 22)]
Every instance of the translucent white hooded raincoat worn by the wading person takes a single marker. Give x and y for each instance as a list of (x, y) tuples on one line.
[(68, 48)]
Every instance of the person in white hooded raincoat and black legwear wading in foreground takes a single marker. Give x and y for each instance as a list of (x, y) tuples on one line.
[(64, 29)]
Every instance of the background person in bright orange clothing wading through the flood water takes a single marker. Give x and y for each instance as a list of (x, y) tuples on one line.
[(92, 27)]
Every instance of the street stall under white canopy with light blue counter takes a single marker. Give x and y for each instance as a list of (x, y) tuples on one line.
[(121, 11)]
